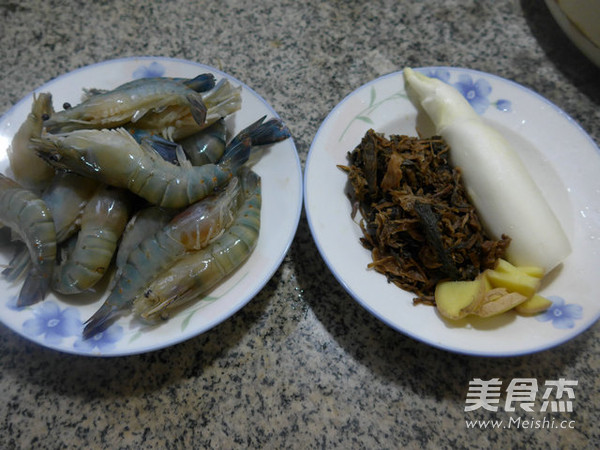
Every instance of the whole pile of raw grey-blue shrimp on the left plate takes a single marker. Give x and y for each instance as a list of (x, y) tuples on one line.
[(140, 184)]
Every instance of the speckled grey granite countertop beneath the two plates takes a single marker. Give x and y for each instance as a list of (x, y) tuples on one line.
[(302, 365)]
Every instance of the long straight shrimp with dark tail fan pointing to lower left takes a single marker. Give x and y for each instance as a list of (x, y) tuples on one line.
[(193, 229)]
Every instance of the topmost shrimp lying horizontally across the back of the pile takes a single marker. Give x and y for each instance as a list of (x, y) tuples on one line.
[(128, 103)]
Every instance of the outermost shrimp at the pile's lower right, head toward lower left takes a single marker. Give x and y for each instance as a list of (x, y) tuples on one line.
[(198, 272)]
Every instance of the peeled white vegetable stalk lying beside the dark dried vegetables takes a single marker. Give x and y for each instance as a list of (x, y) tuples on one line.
[(505, 196)]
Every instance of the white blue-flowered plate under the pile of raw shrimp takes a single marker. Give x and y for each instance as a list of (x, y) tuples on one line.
[(57, 322)]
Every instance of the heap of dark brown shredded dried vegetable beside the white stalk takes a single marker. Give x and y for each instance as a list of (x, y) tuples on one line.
[(416, 218)]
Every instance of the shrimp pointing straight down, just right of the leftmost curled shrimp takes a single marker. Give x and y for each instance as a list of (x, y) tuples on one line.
[(102, 223)]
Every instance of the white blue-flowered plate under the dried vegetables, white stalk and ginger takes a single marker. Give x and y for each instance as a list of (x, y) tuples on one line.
[(561, 157)]
